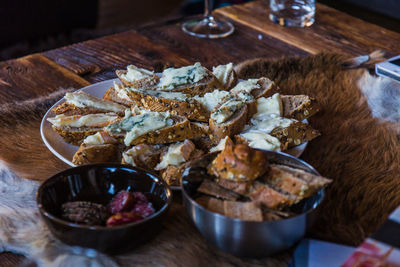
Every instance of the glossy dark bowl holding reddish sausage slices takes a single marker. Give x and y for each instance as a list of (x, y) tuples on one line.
[(109, 207)]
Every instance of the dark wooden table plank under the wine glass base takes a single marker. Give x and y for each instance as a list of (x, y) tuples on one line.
[(243, 44)]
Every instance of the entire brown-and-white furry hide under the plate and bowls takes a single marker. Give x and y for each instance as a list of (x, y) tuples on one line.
[(359, 149)]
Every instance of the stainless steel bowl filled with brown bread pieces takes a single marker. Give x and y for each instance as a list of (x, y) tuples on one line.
[(256, 217)]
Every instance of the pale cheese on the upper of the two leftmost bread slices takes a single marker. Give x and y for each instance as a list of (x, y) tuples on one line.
[(83, 100)]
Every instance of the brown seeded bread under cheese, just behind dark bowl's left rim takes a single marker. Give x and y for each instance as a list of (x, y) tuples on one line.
[(96, 154)]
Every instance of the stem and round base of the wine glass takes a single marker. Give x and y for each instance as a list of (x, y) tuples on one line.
[(207, 26)]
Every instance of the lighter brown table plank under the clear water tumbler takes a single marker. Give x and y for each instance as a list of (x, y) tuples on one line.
[(333, 30)]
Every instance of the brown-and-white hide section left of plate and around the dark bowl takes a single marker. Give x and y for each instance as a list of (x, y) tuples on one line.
[(22, 231)]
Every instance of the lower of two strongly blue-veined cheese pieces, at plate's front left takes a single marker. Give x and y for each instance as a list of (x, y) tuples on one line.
[(140, 124)]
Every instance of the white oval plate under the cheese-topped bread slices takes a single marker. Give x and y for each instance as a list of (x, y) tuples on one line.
[(65, 151)]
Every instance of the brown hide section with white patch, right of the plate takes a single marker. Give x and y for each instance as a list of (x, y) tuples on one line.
[(359, 148)]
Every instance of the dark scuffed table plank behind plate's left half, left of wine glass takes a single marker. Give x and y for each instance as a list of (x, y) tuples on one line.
[(97, 59)]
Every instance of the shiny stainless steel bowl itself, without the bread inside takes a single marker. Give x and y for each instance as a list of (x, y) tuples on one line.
[(245, 238)]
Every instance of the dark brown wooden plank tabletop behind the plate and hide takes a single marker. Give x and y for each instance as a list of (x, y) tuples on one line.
[(92, 61)]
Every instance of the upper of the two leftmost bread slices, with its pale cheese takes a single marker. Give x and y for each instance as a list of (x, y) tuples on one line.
[(88, 104)]
